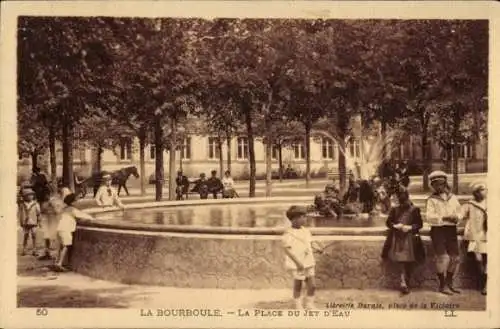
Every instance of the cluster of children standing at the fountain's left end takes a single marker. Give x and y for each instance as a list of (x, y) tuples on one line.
[(56, 217)]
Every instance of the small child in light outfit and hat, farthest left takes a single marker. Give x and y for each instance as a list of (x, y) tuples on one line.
[(29, 218)]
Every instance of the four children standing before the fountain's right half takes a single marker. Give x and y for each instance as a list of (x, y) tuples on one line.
[(403, 244)]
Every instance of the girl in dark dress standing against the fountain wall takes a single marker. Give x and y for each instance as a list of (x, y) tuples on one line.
[(403, 245)]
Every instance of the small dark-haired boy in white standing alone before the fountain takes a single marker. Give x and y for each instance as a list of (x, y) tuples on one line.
[(300, 259)]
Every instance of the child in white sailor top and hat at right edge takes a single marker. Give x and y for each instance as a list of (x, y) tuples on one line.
[(475, 230)]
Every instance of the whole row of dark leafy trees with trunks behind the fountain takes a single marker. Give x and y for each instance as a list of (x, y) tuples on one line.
[(125, 77)]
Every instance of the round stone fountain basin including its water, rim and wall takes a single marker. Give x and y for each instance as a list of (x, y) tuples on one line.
[(233, 243)]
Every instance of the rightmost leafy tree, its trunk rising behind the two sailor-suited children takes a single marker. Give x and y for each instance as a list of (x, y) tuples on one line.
[(464, 55)]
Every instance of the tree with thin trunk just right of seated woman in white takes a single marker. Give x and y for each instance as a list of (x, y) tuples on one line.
[(235, 52)]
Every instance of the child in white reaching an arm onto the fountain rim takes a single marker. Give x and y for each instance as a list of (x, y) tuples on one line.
[(66, 229)]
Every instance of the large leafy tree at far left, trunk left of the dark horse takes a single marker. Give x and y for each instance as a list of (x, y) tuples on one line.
[(70, 60)]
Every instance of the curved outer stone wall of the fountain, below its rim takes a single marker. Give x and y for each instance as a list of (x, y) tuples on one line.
[(238, 261)]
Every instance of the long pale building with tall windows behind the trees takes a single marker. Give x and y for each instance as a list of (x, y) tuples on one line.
[(200, 153)]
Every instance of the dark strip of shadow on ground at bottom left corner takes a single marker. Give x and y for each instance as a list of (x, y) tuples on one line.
[(62, 297)]
